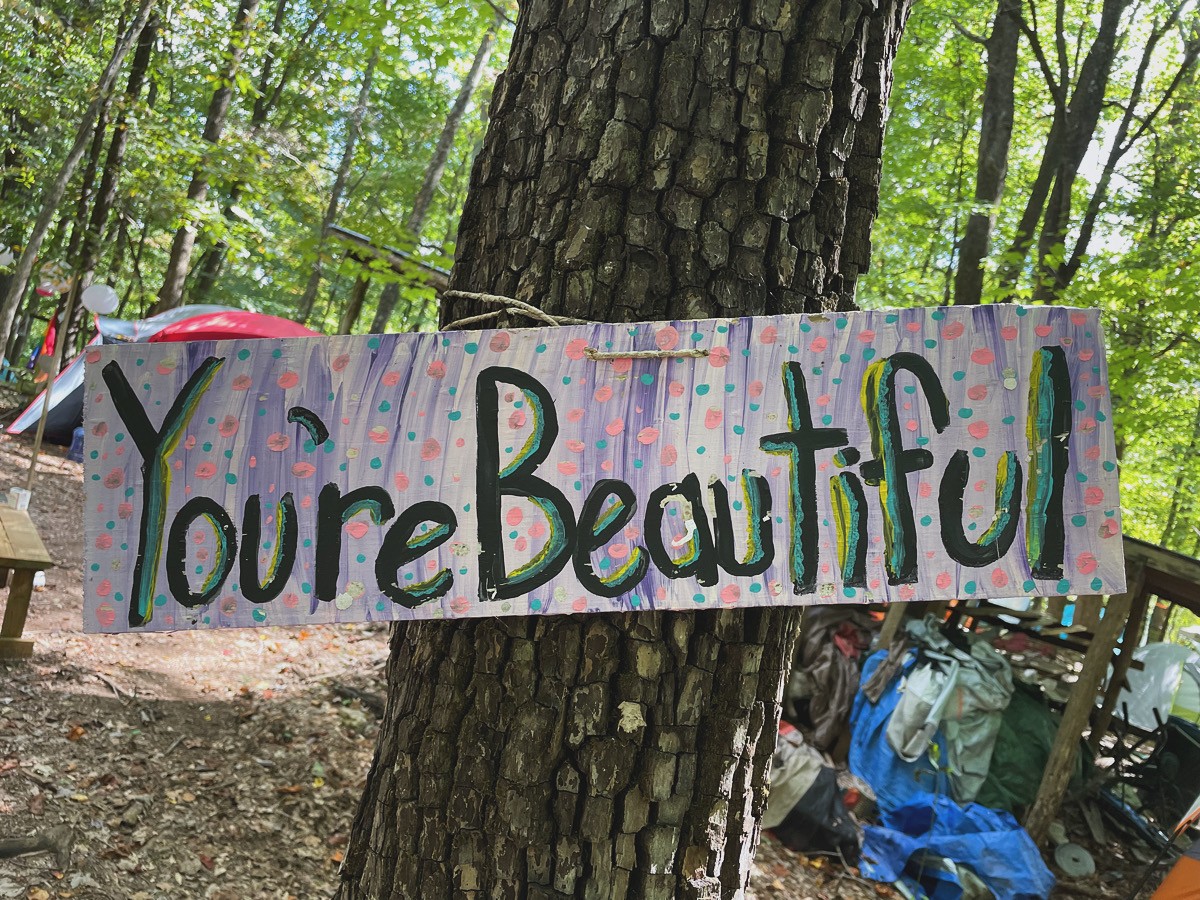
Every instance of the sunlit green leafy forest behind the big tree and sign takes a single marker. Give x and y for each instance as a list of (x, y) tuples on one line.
[(220, 152)]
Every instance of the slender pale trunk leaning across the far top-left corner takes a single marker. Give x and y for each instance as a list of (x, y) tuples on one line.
[(58, 188)]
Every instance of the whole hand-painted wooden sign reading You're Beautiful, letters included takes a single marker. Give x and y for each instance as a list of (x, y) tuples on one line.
[(916, 454)]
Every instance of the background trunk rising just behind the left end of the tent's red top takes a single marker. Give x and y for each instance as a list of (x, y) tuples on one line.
[(171, 295)]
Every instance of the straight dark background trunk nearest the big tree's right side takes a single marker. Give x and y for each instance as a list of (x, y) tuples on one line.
[(992, 170)]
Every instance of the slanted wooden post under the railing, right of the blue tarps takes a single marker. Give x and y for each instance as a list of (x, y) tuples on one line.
[(1079, 710)]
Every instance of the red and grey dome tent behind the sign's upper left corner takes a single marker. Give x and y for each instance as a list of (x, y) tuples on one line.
[(207, 322)]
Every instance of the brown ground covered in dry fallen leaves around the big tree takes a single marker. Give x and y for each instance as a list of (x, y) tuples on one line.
[(223, 765)]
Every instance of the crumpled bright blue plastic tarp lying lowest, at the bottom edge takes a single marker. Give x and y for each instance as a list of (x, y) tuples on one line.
[(988, 843)]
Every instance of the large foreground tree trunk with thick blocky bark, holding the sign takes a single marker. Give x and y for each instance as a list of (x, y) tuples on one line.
[(644, 161)]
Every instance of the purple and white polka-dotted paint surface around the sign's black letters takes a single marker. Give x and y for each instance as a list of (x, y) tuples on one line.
[(401, 413)]
